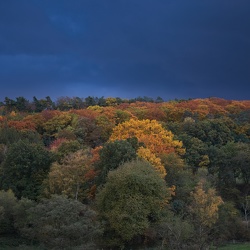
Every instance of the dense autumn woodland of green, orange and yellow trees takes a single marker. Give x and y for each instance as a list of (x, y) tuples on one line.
[(110, 173)]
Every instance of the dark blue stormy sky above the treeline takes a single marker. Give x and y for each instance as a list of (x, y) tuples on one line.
[(125, 48)]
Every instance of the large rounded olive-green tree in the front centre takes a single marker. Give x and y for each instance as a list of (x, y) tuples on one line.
[(130, 201)]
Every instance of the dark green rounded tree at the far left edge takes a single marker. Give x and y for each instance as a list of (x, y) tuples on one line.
[(24, 169)]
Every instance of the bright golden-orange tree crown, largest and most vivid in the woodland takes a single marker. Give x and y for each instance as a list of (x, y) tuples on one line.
[(157, 140)]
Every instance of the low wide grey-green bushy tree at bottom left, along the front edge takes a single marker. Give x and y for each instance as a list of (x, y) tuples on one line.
[(60, 222)]
